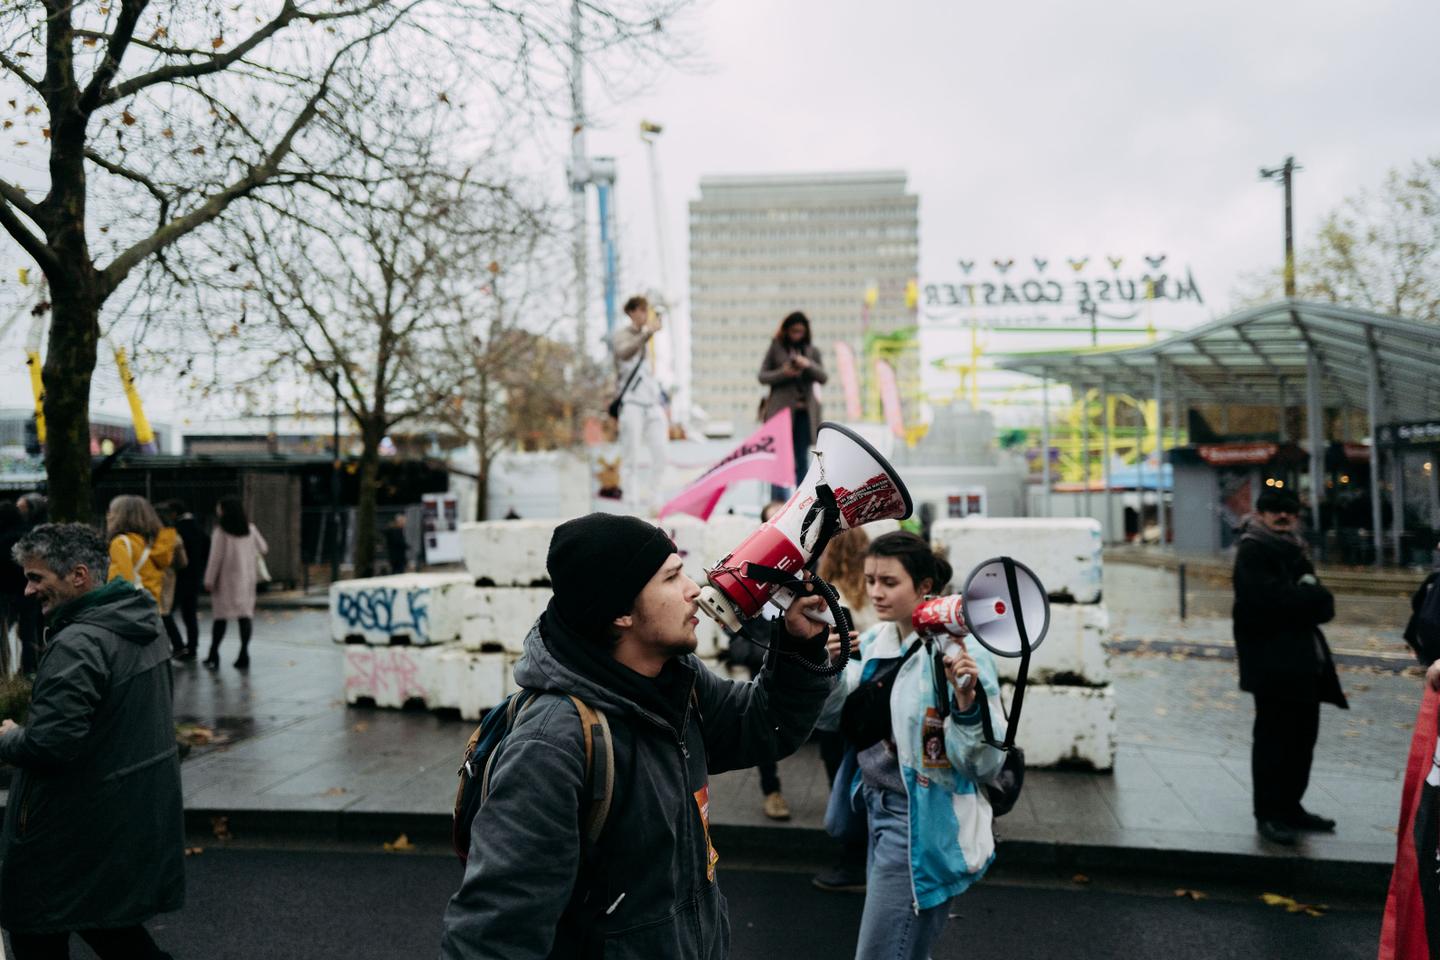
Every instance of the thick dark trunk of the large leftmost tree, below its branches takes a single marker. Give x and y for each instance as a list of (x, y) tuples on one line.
[(67, 376)]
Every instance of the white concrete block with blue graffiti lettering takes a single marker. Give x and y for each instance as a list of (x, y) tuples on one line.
[(417, 608)]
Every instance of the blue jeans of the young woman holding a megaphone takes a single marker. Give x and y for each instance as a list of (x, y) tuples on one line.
[(891, 929)]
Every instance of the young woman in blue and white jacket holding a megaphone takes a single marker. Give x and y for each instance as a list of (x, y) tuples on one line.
[(931, 833)]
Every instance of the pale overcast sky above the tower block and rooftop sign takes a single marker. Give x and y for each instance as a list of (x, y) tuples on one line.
[(1043, 129)]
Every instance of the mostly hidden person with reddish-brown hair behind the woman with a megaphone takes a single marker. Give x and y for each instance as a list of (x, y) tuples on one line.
[(843, 566)]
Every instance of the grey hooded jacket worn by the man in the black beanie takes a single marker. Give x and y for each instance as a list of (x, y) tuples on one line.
[(650, 887)]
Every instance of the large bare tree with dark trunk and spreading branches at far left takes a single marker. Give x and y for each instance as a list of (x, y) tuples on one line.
[(159, 119)]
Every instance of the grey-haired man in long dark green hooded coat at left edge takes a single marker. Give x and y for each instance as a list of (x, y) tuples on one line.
[(94, 825)]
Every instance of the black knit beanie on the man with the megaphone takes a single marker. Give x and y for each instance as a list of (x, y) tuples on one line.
[(600, 563)]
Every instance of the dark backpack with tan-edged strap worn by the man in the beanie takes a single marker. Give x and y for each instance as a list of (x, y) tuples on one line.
[(486, 743)]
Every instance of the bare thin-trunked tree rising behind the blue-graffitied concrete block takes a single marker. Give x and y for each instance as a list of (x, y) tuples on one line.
[(369, 291)]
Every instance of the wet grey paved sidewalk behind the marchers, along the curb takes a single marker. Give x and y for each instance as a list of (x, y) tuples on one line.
[(290, 755)]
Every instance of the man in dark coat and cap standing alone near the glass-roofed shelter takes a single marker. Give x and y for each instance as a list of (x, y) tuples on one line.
[(1284, 661)]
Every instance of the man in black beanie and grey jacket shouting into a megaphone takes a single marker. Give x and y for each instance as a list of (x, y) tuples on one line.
[(620, 635)]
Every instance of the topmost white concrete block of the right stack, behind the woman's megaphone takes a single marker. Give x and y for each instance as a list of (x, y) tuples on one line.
[(1063, 553)]
